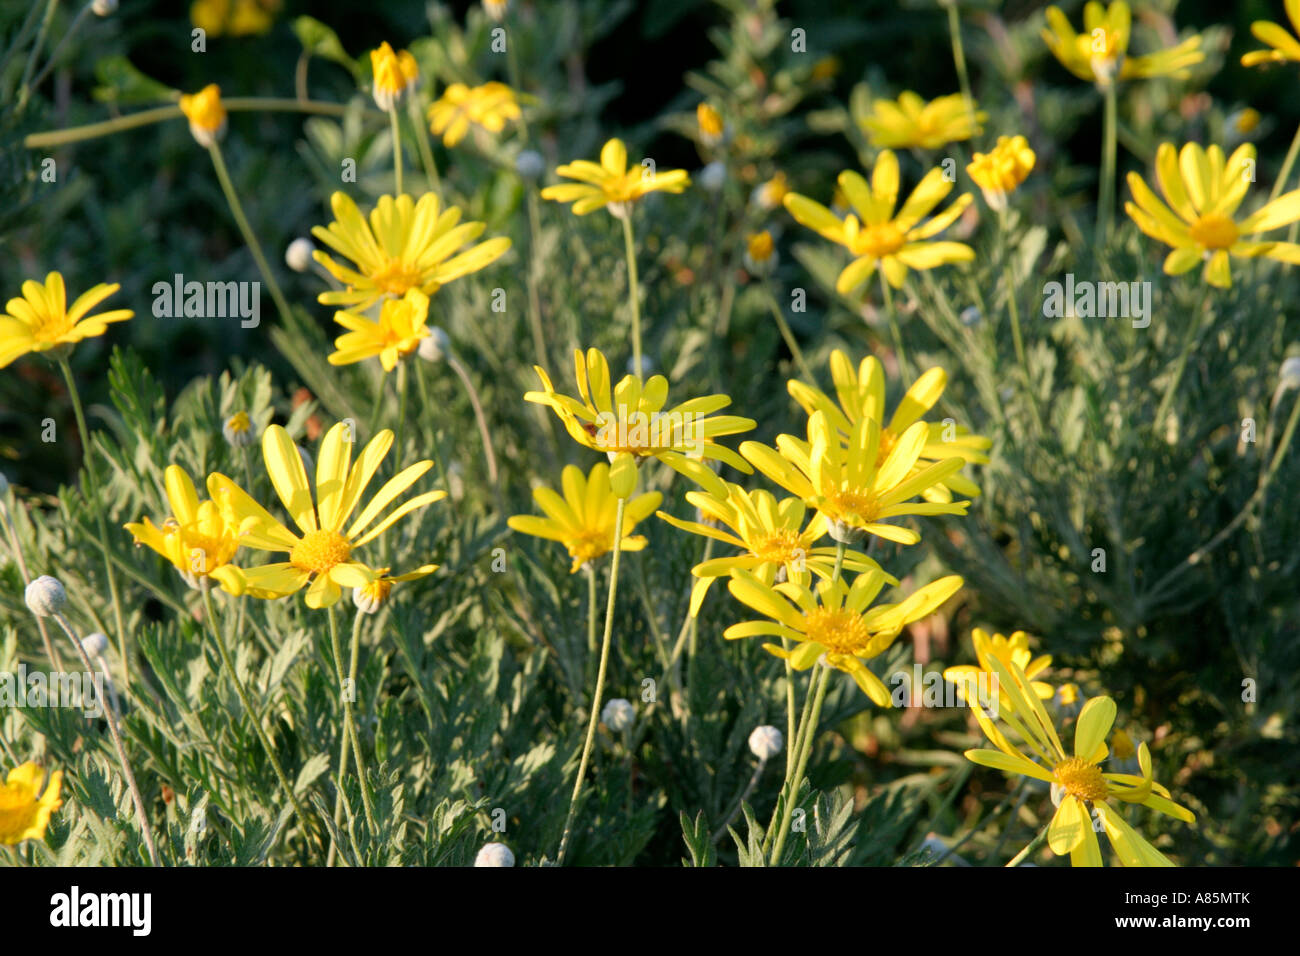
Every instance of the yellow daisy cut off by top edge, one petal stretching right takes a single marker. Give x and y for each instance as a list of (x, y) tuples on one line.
[(1100, 53)]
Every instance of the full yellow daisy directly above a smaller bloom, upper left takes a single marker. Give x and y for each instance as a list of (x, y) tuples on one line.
[(406, 245)]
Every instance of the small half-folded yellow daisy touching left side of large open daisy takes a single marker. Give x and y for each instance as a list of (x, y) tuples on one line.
[(200, 539)]
